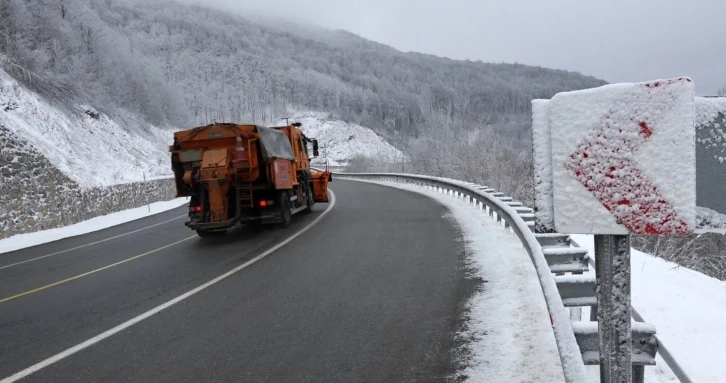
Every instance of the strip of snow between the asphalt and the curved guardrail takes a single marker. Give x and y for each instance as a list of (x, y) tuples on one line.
[(509, 328)]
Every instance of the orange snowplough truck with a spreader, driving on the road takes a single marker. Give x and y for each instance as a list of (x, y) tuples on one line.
[(245, 175)]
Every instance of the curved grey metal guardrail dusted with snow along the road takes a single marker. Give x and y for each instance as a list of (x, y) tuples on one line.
[(563, 270)]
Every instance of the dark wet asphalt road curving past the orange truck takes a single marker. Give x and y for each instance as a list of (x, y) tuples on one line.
[(373, 292)]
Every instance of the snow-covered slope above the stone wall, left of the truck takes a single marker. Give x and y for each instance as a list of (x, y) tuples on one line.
[(91, 148)]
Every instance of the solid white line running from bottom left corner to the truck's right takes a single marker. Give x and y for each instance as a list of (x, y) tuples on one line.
[(108, 333)]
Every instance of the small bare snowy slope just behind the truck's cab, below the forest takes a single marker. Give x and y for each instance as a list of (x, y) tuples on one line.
[(340, 141)]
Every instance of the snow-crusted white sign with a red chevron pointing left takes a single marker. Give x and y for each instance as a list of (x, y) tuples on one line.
[(617, 159)]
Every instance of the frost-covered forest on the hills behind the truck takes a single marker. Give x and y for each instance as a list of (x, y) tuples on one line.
[(178, 65)]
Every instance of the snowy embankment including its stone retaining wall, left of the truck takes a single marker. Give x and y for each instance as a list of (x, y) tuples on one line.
[(61, 165)]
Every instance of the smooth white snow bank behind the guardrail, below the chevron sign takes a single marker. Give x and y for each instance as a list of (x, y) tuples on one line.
[(687, 308)]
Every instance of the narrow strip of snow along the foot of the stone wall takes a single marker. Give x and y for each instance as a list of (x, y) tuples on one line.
[(21, 241)]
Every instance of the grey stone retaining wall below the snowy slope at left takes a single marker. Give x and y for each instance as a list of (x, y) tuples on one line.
[(34, 195)]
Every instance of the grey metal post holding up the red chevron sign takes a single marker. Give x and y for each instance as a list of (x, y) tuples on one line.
[(612, 267)]
